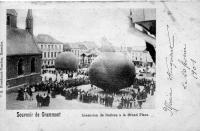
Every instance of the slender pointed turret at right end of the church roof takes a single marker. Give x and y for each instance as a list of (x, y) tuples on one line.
[(29, 22)]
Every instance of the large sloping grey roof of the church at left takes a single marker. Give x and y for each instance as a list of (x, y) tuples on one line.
[(20, 42)]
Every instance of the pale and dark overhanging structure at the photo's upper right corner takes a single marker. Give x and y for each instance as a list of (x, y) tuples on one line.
[(143, 21)]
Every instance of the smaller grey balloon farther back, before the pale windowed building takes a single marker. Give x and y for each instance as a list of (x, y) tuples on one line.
[(66, 61)]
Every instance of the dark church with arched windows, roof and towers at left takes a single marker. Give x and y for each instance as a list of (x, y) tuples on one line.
[(23, 56)]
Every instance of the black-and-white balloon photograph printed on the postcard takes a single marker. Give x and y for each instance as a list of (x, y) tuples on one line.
[(81, 58)]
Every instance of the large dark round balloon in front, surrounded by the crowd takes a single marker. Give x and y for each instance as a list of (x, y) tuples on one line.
[(112, 71)]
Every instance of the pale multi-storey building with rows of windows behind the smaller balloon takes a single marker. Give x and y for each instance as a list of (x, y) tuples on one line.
[(50, 48)]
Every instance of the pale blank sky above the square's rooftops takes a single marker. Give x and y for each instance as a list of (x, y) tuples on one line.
[(76, 25)]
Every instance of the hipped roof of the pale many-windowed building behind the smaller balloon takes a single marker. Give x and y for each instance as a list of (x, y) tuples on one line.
[(44, 38)]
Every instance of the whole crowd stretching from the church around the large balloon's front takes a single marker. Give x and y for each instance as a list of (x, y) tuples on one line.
[(68, 89)]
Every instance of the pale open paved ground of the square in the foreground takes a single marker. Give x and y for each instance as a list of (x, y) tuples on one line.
[(60, 103)]
